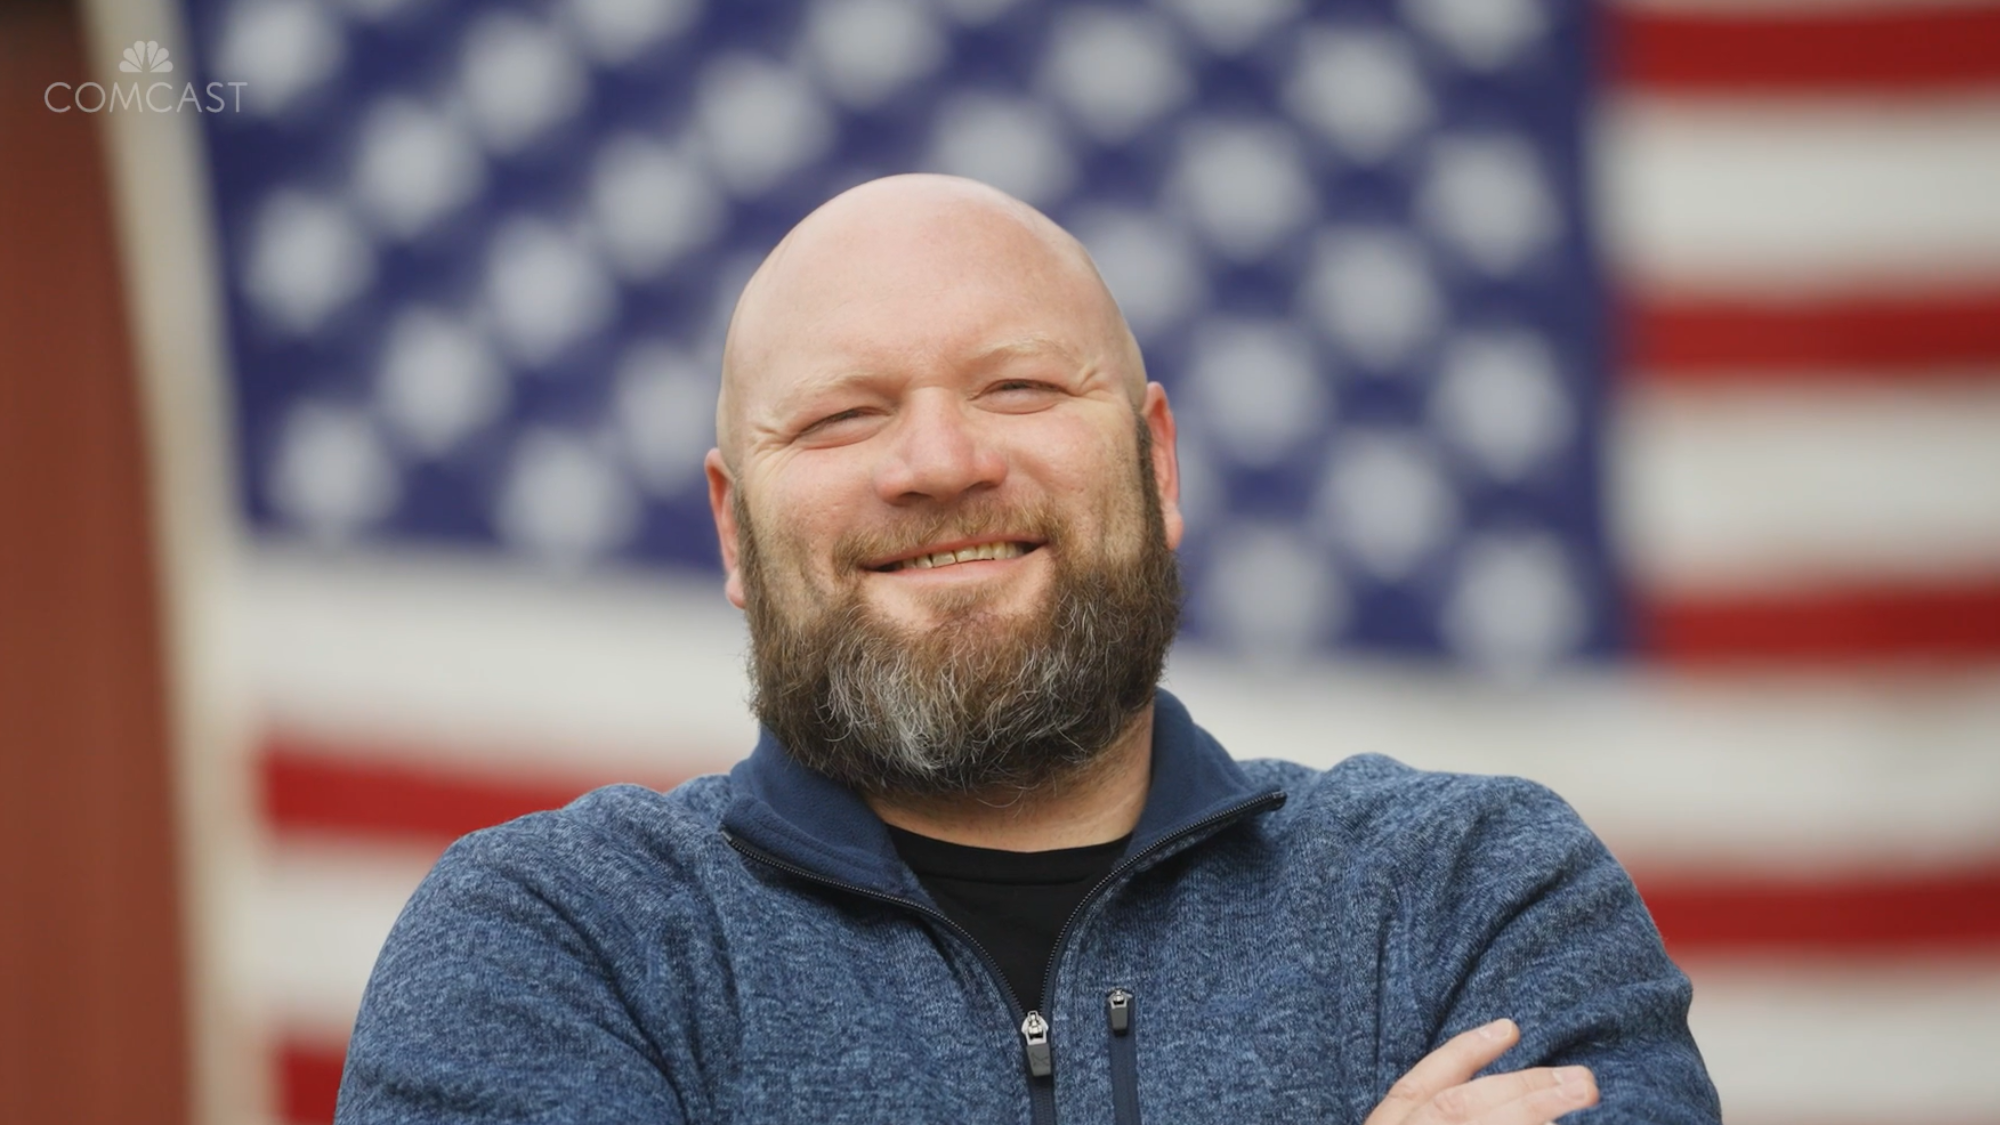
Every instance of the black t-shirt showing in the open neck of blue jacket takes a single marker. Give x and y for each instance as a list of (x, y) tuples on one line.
[(1011, 902)]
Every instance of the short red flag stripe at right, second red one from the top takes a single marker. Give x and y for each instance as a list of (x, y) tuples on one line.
[(1863, 337)]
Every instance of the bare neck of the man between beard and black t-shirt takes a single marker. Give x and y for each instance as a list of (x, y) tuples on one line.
[(1095, 806)]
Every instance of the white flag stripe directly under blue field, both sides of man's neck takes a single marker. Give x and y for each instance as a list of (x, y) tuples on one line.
[(511, 674)]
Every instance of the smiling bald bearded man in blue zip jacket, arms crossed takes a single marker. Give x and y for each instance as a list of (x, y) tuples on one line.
[(979, 868)]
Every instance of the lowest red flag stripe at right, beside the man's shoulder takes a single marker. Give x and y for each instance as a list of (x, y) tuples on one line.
[(1955, 912)]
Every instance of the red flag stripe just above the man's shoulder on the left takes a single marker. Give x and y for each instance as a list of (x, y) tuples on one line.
[(369, 792)]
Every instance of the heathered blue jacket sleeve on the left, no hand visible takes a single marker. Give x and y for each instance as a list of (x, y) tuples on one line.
[(493, 1002)]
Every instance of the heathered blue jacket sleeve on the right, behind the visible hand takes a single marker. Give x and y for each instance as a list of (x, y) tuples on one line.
[(1533, 920)]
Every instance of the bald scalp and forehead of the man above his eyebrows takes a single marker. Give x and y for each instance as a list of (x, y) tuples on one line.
[(913, 271)]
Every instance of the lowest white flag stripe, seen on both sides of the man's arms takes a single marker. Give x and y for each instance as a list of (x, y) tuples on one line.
[(1865, 1046)]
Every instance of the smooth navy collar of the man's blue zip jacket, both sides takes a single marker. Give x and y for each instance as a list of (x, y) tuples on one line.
[(815, 824)]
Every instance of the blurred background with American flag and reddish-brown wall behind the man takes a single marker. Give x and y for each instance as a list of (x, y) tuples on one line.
[(1601, 393)]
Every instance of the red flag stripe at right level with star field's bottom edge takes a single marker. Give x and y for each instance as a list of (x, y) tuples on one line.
[(1827, 628)]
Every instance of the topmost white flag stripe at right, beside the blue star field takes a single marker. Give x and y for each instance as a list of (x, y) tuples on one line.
[(1749, 197)]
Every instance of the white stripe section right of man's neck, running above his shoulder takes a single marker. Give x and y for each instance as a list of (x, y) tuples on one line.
[(1783, 776)]
